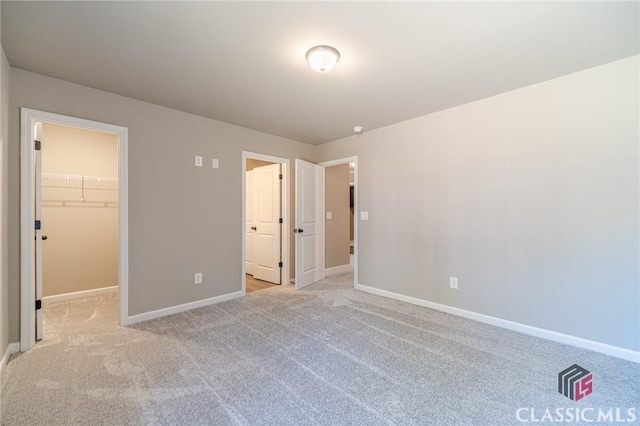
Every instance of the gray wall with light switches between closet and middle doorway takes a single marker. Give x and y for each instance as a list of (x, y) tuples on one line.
[(182, 219)]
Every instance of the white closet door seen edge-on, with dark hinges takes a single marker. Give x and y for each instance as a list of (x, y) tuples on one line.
[(37, 190)]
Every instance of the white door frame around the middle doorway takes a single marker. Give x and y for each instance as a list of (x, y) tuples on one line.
[(285, 195)]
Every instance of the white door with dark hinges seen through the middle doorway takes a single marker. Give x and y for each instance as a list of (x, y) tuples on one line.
[(267, 254)]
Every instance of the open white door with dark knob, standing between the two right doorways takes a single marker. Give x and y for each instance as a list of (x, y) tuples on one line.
[(309, 224)]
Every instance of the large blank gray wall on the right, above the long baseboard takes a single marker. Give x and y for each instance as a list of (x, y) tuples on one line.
[(530, 198)]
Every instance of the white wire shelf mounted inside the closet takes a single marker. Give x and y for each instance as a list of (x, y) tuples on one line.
[(79, 189)]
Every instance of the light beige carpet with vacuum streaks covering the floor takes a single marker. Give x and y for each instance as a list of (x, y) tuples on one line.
[(325, 355)]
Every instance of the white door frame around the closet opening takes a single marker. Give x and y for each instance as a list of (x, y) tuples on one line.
[(28, 117)]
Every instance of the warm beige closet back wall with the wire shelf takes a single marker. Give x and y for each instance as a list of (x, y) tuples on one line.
[(79, 209)]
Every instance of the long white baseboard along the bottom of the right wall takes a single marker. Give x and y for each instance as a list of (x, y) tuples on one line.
[(567, 339)]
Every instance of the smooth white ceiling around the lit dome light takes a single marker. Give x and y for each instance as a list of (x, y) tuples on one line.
[(243, 62)]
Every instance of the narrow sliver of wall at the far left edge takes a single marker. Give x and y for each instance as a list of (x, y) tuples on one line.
[(5, 72)]
